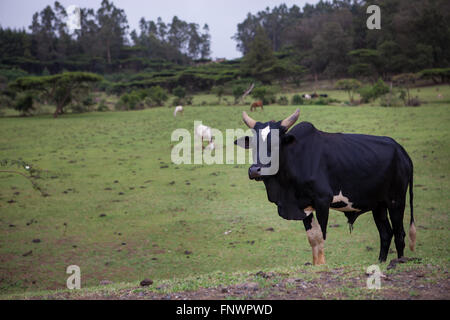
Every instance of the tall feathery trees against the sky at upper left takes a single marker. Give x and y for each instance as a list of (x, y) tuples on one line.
[(101, 45)]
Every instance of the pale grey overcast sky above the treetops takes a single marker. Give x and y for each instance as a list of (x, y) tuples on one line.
[(222, 16)]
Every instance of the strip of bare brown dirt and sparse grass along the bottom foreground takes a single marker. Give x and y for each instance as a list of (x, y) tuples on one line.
[(421, 283)]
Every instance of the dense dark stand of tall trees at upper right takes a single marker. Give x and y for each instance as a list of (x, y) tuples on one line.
[(331, 37)]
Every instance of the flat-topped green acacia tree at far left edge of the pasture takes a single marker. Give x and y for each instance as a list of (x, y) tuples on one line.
[(57, 89)]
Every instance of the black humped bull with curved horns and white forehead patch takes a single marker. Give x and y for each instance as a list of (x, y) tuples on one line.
[(351, 173)]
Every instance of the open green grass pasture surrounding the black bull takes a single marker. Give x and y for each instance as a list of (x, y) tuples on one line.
[(118, 164)]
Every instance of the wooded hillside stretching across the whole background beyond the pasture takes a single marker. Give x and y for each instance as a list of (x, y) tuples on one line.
[(279, 45)]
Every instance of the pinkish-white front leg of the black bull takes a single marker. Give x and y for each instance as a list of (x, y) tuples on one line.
[(315, 237)]
